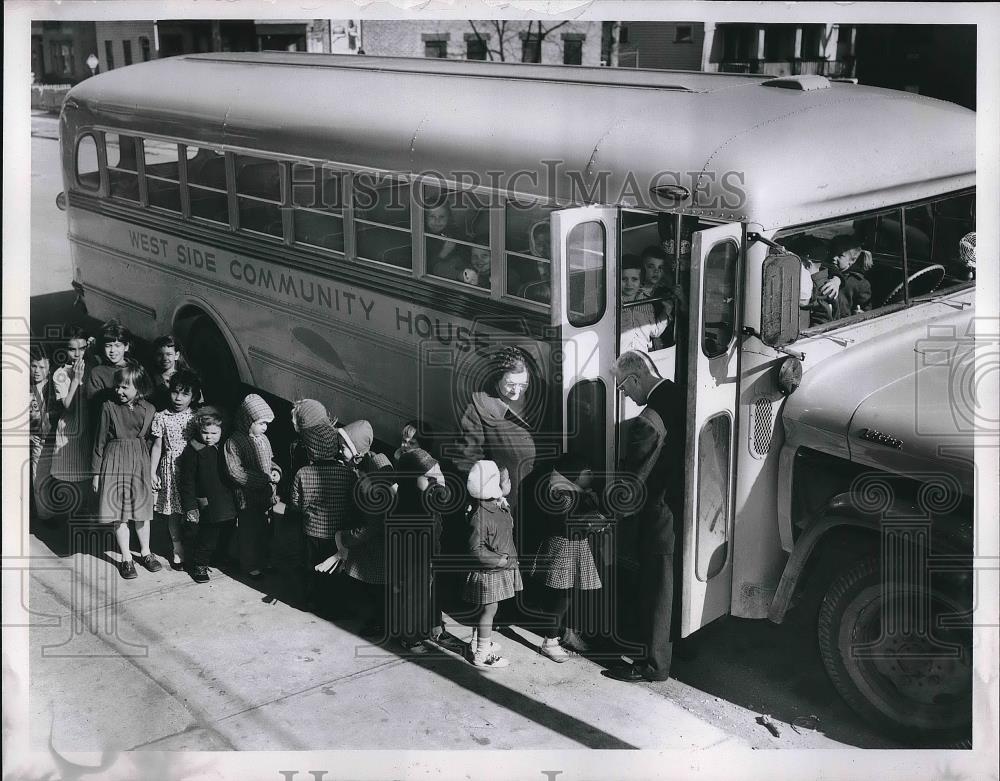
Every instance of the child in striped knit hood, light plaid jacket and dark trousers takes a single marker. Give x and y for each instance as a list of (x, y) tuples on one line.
[(248, 461)]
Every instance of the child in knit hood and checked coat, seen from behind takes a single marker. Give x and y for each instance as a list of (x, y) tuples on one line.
[(323, 489)]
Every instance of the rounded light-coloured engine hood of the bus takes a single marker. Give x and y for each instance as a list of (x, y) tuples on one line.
[(902, 402)]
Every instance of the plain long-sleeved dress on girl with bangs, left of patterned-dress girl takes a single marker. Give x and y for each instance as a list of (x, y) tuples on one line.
[(121, 458)]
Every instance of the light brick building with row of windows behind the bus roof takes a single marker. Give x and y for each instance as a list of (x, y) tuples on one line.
[(570, 43)]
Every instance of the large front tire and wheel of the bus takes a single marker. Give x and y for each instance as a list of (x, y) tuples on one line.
[(925, 701)]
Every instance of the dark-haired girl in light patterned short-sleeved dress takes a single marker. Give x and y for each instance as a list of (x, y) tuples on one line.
[(171, 430)]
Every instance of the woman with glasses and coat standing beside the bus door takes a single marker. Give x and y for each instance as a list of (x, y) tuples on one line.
[(497, 423)]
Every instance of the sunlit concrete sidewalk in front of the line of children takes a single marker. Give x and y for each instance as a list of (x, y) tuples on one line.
[(162, 663)]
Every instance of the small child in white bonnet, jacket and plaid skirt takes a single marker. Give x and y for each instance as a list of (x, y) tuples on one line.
[(491, 544)]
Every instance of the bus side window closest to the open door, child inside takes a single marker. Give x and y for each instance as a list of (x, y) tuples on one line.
[(528, 247)]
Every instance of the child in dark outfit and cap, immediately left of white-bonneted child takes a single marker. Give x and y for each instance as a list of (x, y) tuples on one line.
[(421, 494)]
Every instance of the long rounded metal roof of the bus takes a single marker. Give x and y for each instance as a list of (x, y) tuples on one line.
[(777, 152)]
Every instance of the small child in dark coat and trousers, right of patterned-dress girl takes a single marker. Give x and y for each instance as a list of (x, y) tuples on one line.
[(205, 496)]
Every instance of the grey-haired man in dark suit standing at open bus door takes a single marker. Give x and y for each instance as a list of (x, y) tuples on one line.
[(652, 459)]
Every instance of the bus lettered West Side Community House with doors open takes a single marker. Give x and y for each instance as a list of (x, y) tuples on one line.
[(364, 230)]
